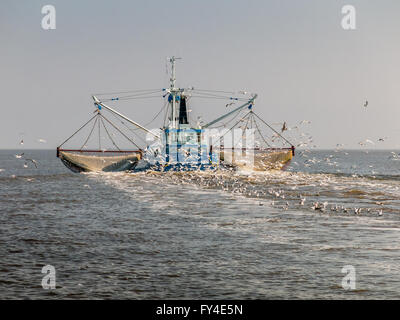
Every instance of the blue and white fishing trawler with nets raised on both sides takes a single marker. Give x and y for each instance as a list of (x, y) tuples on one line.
[(180, 145)]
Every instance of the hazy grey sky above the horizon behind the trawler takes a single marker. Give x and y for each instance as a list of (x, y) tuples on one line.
[(294, 54)]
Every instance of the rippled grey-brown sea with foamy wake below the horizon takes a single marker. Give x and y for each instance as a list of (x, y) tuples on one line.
[(225, 235)]
